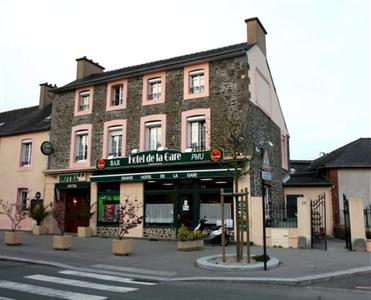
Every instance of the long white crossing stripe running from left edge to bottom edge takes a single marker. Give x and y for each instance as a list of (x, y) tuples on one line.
[(44, 291)]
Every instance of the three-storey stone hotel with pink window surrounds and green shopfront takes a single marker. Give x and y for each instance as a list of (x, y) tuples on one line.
[(160, 133)]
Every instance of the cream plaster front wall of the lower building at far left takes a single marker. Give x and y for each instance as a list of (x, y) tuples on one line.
[(13, 177)]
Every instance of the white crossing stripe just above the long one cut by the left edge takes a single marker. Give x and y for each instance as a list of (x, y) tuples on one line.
[(79, 283)]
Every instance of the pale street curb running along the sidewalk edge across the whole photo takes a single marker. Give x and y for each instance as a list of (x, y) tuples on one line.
[(298, 281)]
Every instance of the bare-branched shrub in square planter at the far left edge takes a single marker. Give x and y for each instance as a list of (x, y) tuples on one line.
[(16, 213)]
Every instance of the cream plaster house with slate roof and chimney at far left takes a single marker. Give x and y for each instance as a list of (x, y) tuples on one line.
[(22, 131)]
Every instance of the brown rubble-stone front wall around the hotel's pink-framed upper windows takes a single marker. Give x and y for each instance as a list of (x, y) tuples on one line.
[(228, 88)]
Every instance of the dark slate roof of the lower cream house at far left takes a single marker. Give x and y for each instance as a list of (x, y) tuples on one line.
[(24, 120)]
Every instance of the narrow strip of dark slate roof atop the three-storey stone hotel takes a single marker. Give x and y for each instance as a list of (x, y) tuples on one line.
[(228, 51)]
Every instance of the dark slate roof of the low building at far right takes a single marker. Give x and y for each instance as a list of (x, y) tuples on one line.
[(353, 155)]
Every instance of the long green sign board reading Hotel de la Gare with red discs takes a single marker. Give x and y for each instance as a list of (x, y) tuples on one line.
[(153, 158)]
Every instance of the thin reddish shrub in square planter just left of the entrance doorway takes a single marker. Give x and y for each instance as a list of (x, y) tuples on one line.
[(60, 242)]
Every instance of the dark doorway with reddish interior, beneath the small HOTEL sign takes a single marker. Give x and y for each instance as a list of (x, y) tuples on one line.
[(76, 200)]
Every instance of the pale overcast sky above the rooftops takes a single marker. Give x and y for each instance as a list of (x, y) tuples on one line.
[(318, 51)]
